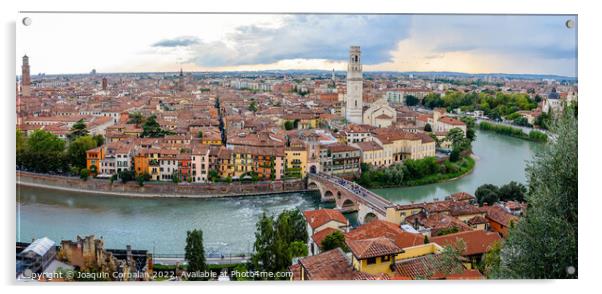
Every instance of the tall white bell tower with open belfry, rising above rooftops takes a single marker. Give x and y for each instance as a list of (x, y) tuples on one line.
[(353, 100)]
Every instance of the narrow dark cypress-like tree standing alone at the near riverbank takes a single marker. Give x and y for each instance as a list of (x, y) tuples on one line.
[(195, 255)]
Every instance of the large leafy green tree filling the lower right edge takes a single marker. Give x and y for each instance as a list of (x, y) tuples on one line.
[(543, 244)]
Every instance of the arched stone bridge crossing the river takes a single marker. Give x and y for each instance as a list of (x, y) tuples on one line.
[(349, 197)]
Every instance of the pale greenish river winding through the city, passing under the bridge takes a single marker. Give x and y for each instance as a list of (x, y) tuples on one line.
[(228, 224)]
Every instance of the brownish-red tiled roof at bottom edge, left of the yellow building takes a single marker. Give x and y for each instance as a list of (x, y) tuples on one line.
[(329, 265)]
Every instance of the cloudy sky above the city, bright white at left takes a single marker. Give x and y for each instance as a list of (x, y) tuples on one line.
[(76, 43)]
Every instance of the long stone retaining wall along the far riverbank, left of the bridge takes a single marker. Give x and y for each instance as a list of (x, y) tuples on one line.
[(154, 189)]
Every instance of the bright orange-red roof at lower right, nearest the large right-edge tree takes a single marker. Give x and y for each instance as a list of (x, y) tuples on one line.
[(476, 242)]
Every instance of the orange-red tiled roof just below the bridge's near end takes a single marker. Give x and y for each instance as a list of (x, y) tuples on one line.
[(380, 228)]
